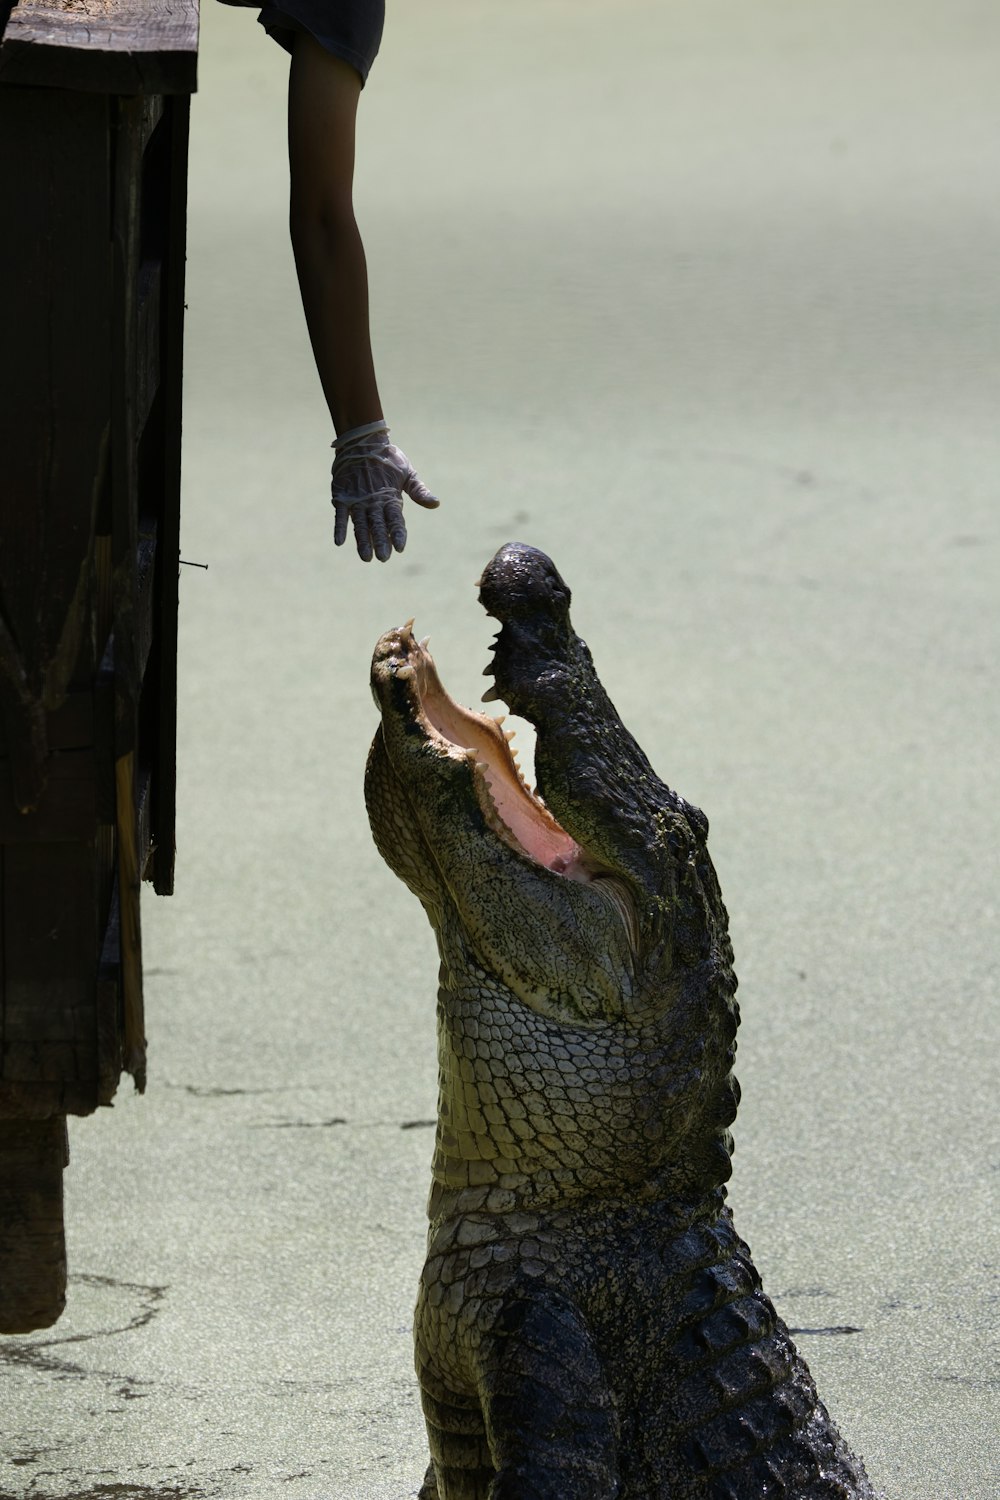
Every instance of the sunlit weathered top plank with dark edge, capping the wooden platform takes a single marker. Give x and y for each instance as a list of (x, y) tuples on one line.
[(113, 47)]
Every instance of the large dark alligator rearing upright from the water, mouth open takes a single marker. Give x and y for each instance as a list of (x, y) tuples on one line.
[(590, 1327)]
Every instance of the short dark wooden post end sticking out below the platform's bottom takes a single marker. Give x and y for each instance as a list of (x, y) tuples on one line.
[(32, 1243)]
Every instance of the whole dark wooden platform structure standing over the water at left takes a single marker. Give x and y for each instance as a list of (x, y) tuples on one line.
[(94, 157)]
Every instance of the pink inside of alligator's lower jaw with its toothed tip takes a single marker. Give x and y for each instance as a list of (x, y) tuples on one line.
[(478, 740)]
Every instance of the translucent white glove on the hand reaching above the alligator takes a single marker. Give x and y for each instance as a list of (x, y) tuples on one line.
[(370, 481)]
